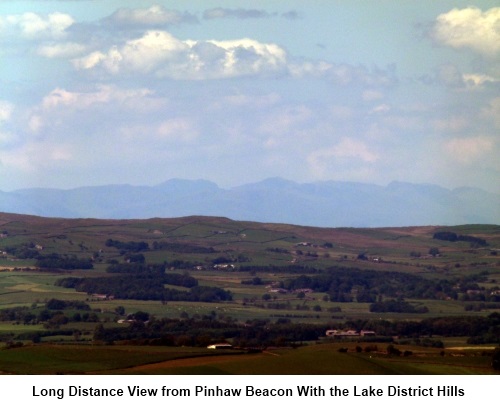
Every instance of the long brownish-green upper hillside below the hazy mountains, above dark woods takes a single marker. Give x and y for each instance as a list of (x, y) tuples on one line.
[(201, 239)]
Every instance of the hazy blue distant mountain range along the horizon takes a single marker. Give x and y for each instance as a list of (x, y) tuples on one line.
[(324, 204)]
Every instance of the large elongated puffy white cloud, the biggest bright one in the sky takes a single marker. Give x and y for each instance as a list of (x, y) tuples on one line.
[(160, 53)]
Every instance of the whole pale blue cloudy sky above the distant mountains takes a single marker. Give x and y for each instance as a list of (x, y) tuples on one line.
[(96, 92)]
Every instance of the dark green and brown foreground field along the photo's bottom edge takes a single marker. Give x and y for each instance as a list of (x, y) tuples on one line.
[(317, 359)]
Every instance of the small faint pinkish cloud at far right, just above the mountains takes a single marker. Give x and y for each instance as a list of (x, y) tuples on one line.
[(469, 150)]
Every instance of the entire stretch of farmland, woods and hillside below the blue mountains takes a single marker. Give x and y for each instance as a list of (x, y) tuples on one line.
[(166, 289)]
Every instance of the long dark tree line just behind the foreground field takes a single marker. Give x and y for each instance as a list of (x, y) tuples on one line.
[(261, 333)]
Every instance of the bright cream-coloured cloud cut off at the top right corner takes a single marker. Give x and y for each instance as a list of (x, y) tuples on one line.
[(469, 28)]
